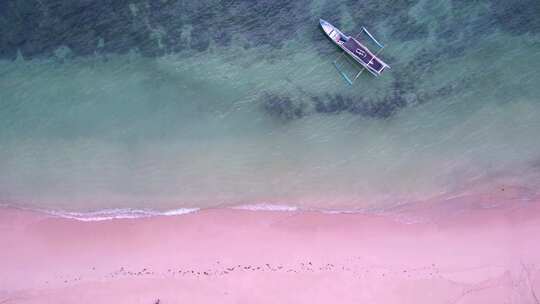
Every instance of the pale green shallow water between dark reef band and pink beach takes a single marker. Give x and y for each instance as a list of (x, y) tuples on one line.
[(222, 128)]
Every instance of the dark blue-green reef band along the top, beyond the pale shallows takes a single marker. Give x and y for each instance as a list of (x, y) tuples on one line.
[(155, 27)]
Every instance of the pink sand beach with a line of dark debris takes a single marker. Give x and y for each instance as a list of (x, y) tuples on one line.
[(240, 256)]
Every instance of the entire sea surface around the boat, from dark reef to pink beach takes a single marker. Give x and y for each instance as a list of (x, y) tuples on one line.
[(171, 104)]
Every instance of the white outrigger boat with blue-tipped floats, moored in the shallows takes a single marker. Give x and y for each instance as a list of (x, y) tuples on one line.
[(356, 51)]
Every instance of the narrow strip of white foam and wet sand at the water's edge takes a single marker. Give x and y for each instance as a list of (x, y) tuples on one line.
[(476, 198)]
